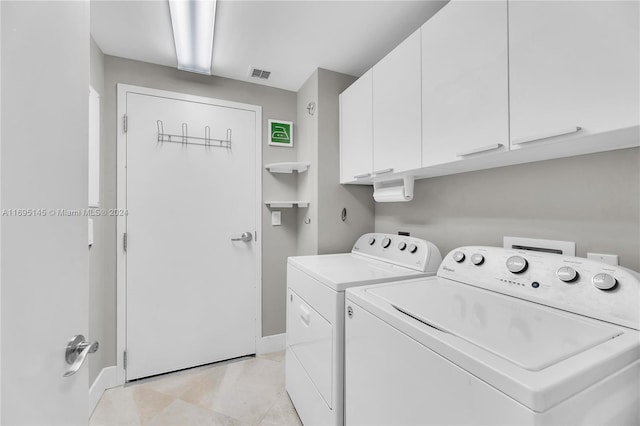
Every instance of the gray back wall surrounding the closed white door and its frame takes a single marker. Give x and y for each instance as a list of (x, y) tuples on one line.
[(277, 242)]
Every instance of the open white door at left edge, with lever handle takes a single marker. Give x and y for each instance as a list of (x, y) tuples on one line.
[(43, 244)]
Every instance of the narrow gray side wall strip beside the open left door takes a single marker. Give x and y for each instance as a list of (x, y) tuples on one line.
[(100, 327)]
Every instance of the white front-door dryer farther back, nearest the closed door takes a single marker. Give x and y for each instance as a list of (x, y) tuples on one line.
[(315, 314)]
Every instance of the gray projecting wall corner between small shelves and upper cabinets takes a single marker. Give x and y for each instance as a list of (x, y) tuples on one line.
[(319, 143)]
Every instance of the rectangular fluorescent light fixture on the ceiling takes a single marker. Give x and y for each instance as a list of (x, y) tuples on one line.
[(192, 22)]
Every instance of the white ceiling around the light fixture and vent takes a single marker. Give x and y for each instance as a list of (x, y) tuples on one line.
[(289, 38)]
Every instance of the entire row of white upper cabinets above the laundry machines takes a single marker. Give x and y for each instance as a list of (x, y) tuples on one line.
[(483, 80)]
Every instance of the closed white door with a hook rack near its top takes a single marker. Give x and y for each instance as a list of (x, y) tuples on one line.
[(191, 290)]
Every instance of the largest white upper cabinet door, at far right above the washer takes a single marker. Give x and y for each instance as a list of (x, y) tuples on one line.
[(572, 64)]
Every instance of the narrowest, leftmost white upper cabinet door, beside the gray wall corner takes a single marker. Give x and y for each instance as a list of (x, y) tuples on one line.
[(356, 130)]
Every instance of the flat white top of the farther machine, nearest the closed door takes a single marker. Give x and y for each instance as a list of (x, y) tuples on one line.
[(344, 270)]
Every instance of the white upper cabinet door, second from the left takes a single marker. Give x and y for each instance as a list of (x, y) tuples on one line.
[(397, 108)]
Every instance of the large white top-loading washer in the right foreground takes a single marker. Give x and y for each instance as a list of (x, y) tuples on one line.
[(499, 337)]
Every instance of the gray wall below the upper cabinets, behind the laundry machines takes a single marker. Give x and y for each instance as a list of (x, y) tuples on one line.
[(593, 200)]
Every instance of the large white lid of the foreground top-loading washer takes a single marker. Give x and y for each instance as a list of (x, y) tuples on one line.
[(526, 334)]
